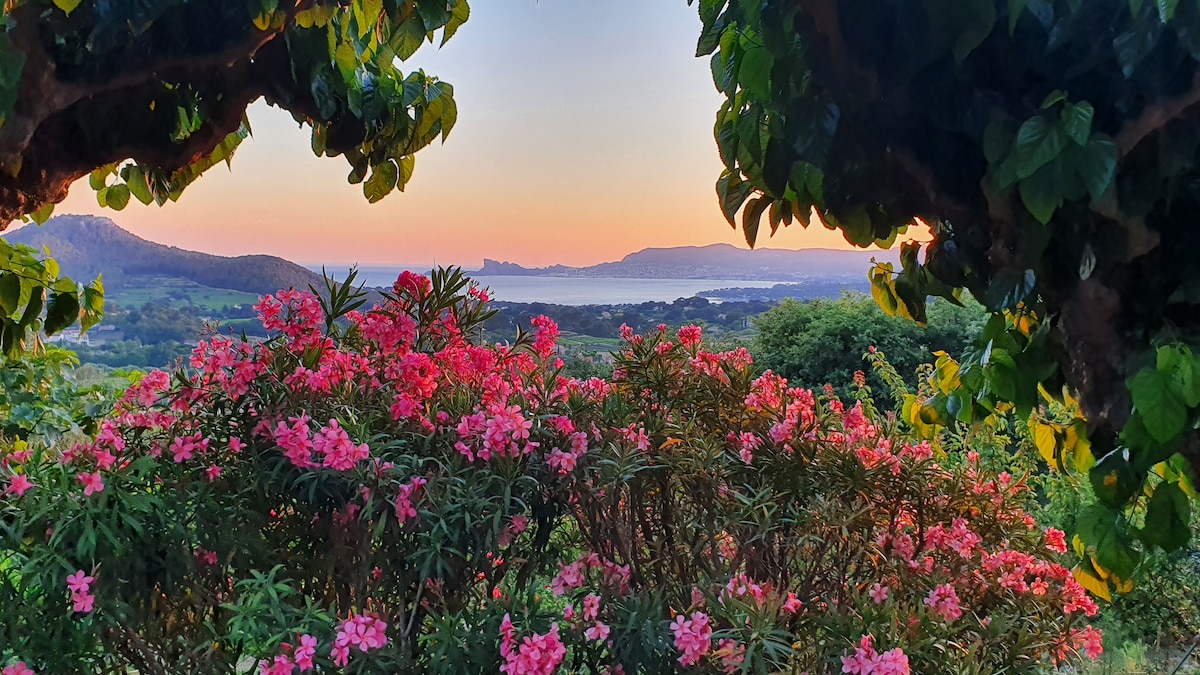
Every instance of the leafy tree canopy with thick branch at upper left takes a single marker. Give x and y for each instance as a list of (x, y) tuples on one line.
[(147, 97)]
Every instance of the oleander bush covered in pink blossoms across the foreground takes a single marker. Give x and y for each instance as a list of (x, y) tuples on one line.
[(374, 492)]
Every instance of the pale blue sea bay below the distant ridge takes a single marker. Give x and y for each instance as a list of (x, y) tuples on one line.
[(577, 290)]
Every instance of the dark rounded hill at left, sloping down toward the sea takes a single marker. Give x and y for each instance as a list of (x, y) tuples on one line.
[(87, 247)]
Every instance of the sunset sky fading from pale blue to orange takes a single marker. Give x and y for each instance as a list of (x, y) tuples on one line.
[(585, 133)]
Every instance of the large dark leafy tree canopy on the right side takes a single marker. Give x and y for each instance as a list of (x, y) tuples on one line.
[(1052, 147)]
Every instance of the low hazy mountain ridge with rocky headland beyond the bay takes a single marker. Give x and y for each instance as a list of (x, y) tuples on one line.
[(717, 261)]
